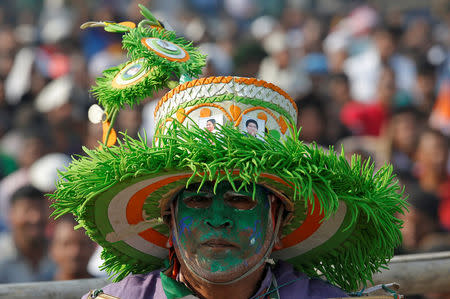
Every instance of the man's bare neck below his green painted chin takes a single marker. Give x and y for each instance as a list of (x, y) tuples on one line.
[(241, 289)]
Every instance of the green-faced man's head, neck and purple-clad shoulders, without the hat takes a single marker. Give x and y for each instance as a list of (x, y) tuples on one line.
[(222, 241)]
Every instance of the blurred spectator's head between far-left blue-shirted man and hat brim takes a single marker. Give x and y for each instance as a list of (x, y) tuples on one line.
[(70, 249)]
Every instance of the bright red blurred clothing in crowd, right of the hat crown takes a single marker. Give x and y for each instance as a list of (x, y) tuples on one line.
[(364, 119)]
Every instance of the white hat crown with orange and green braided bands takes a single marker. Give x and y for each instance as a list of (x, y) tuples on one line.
[(229, 99)]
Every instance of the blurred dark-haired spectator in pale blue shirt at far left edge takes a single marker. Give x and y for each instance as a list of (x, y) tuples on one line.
[(24, 252)]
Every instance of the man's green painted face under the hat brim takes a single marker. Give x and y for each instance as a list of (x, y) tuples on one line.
[(224, 233)]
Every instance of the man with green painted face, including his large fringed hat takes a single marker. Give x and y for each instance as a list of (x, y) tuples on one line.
[(226, 216)]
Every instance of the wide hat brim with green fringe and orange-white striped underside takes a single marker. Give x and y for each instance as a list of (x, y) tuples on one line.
[(343, 223)]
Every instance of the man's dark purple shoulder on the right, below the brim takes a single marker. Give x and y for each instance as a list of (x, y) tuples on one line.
[(293, 282)]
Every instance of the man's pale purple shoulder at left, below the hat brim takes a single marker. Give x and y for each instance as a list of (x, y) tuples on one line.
[(136, 286)]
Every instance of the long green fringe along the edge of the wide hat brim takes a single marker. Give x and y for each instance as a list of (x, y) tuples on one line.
[(373, 198)]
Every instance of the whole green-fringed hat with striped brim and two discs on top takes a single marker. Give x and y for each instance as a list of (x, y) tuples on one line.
[(340, 220)]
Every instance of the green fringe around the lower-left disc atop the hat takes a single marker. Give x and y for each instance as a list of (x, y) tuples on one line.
[(110, 97)]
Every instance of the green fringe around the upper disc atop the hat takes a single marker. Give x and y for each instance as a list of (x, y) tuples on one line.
[(132, 43)]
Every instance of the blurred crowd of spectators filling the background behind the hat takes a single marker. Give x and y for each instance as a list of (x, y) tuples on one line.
[(371, 78)]
